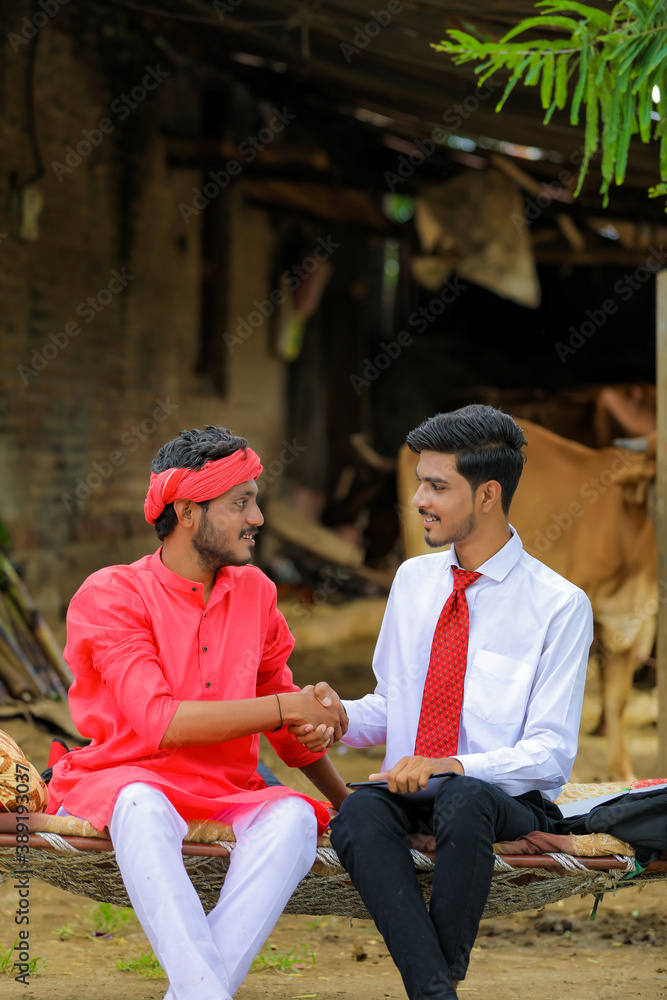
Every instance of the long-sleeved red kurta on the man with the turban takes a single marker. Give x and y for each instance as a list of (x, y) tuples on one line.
[(141, 640)]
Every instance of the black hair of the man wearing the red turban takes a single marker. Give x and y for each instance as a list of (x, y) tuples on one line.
[(192, 450)]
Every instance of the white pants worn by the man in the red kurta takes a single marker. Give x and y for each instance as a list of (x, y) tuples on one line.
[(208, 957)]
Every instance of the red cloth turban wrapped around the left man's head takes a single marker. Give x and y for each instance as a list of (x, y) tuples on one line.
[(213, 479)]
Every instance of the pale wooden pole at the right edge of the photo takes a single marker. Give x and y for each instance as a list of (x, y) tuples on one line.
[(661, 508)]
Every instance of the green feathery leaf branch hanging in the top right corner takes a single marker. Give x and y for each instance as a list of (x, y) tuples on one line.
[(614, 60)]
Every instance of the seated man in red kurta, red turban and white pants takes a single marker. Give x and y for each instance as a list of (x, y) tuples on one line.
[(180, 662)]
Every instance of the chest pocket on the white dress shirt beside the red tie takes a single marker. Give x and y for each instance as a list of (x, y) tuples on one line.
[(497, 688)]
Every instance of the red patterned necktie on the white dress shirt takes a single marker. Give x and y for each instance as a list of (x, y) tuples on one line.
[(438, 730)]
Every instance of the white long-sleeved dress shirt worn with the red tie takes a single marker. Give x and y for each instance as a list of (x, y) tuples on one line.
[(530, 634)]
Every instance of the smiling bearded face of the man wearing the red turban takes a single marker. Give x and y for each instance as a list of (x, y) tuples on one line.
[(225, 532)]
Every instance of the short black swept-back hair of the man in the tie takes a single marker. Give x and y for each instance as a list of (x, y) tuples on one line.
[(487, 444)]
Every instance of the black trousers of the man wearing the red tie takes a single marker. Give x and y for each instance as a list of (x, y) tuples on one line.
[(371, 837)]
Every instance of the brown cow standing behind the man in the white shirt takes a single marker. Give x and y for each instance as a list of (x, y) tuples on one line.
[(584, 512)]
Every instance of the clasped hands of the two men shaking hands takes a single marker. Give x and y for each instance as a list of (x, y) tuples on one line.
[(315, 715)]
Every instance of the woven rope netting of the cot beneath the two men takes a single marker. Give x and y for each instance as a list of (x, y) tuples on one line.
[(86, 866)]
